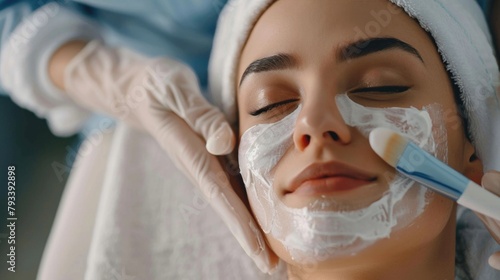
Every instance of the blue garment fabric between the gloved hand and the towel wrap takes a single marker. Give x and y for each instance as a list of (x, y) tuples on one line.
[(179, 29)]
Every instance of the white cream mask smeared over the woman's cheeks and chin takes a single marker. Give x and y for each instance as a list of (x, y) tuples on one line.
[(315, 232)]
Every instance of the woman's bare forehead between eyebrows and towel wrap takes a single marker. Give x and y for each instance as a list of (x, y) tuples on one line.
[(313, 30)]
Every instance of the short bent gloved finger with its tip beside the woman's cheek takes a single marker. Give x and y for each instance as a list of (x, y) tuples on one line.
[(176, 87)]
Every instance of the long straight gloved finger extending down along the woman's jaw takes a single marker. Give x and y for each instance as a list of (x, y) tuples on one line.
[(187, 150)]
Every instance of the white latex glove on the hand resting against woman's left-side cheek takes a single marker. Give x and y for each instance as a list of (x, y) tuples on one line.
[(162, 97)]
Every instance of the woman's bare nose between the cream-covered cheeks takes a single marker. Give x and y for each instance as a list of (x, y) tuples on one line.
[(320, 123)]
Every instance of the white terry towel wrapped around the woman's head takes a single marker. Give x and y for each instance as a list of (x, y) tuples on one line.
[(458, 28)]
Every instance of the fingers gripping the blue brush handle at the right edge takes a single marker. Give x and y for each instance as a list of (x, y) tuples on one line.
[(491, 182)]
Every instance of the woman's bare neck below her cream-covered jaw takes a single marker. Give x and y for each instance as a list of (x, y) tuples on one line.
[(434, 259)]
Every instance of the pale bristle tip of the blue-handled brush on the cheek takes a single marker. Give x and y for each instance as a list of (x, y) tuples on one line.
[(387, 144)]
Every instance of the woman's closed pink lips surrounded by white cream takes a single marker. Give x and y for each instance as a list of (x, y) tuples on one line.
[(329, 177)]
